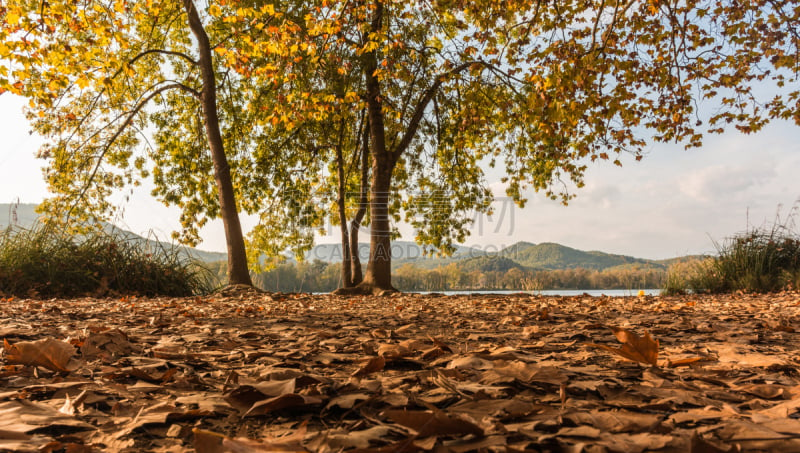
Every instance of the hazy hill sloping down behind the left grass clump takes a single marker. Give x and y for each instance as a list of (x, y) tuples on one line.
[(24, 215)]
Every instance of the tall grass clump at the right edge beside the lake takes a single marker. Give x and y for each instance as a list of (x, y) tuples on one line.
[(762, 260)]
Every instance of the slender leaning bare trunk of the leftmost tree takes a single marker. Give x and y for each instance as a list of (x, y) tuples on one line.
[(238, 272)]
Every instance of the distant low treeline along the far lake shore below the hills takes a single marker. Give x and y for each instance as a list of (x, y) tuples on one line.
[(318, 276)]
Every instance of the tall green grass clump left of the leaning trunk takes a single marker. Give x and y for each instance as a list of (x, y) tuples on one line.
[(42, 262)]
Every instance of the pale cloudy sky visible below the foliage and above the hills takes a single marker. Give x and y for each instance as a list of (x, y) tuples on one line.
[(673, 202)]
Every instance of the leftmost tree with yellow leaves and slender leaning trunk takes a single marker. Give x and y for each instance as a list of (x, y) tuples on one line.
[(98, 74)]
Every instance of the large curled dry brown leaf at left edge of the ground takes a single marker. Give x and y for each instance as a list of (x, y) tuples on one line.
[(48, 353)]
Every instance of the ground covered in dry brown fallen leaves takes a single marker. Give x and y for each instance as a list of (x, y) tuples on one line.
[(249, 371)]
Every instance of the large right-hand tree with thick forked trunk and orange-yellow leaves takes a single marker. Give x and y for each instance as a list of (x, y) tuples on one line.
[(543, 89)]
